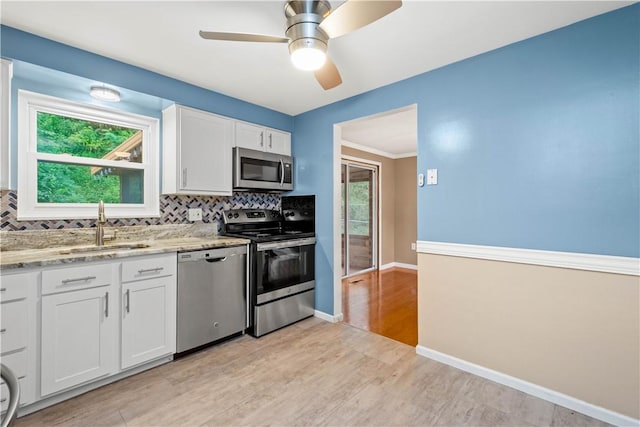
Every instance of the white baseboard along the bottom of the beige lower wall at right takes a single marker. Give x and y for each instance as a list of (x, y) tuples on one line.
[(561, 399)]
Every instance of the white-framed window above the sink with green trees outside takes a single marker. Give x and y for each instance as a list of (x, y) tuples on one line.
[(72, 155)]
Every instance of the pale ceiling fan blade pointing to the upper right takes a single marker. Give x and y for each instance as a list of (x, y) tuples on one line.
[(354, 14)]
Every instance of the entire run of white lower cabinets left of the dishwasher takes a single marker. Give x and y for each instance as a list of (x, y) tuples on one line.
[(74, 325)]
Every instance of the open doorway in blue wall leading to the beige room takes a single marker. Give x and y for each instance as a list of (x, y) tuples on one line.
[(378, 291)]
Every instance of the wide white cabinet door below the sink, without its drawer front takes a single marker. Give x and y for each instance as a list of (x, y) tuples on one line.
[(78, 337)]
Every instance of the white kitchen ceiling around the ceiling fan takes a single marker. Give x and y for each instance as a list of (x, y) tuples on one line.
[(162, 36)]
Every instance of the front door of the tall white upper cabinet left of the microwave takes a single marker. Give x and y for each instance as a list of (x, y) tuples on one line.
[(205, 153)]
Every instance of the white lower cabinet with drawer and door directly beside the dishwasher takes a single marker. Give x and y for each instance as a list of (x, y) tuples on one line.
[(148, 309)]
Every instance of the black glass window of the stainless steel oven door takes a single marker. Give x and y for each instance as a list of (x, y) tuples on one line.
[(284, 267)]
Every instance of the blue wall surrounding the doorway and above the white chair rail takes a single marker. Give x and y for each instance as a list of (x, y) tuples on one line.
[(536, 145)]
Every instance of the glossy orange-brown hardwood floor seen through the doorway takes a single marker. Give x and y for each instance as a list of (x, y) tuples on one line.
[(384, 302)]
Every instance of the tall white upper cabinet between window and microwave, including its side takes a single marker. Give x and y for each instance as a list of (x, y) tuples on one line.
[(196, 152)]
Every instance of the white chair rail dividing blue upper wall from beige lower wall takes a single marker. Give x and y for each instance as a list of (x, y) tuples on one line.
[(579, 261)]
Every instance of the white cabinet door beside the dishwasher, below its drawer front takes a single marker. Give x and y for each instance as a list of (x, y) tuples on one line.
[(149, 320)]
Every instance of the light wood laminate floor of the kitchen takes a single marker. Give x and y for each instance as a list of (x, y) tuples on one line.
[(311, 373)]
